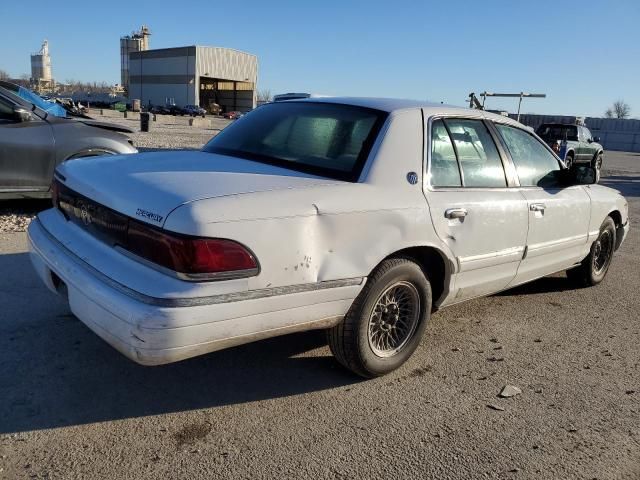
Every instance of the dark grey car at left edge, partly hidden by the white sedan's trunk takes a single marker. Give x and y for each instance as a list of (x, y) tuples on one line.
[(33, 141)]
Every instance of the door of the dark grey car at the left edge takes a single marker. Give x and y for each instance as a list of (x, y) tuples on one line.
[(26, 151)]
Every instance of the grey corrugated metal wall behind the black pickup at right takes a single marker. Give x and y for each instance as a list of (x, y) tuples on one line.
[(614, 133)]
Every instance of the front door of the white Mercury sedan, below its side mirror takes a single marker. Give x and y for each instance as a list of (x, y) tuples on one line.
[(558, 214)]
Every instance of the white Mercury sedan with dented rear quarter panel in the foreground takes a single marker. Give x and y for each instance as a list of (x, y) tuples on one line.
[(359, 216)]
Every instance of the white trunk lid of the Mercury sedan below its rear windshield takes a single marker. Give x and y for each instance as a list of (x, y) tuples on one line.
[(150, 185)]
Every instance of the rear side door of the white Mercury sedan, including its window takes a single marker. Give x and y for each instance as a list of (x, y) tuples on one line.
[(473, 210)]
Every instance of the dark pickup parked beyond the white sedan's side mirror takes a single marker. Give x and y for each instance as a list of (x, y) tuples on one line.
[(581, 145)]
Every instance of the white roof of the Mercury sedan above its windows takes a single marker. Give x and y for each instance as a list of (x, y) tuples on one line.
[(397, 104)]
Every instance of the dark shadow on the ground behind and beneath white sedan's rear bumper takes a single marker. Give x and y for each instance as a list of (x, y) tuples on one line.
[(55, 372)]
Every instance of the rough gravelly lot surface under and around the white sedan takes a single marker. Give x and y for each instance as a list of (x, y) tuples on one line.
[(72, 407)]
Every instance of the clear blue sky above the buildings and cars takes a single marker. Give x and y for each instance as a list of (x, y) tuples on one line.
[(582, 54)]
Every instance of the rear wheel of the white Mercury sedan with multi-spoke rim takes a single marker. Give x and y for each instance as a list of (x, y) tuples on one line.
[(351, 341)]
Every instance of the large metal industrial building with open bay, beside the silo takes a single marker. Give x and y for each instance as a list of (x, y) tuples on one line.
[(194, 75)]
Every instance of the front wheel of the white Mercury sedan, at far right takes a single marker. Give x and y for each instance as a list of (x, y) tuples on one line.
[(595, 266)]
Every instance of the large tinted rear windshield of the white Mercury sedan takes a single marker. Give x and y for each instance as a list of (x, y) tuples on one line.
[(325, 139)]
